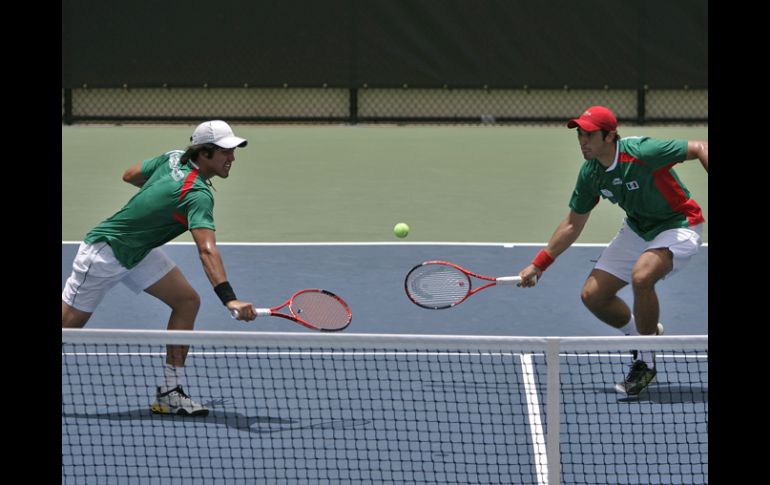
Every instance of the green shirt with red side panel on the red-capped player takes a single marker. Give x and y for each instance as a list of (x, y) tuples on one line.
[(643, 183)]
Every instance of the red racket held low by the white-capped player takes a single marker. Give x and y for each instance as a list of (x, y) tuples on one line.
[(313, 308)]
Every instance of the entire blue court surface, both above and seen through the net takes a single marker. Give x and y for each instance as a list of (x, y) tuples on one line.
[(340, 408)]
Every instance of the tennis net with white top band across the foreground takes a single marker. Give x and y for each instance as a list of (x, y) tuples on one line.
[(321, 408)]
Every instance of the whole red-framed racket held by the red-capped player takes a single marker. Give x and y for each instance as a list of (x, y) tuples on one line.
[(436, 285)]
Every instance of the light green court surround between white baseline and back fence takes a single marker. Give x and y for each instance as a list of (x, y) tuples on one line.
[(353, 183)]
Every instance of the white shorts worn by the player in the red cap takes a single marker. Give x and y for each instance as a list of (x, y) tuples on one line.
[(624, 250)]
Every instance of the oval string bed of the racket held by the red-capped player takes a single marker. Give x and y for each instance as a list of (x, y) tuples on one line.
[(437, 286)]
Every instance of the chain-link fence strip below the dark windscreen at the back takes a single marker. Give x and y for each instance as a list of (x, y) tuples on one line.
[(376, 105)]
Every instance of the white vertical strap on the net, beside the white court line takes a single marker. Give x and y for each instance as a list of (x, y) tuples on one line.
[(552, 411)]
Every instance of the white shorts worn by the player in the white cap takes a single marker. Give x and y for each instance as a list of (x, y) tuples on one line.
[(95, 271)]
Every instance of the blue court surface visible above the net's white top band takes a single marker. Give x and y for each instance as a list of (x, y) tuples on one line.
[(370, 277)]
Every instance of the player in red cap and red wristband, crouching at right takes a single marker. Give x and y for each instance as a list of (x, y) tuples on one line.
[(660, 233)]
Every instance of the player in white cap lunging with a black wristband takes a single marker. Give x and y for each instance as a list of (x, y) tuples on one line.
[(175, 196)]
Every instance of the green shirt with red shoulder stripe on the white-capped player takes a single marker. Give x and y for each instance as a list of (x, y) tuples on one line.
[(173, 199)]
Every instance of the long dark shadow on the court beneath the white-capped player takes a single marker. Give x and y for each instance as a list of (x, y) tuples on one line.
[(233, 420)]
